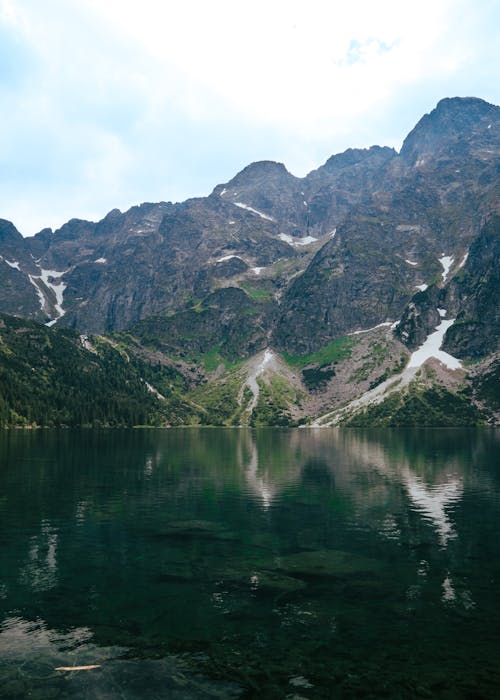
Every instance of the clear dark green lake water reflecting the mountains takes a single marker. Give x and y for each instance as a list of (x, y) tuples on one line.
[(259, 564)]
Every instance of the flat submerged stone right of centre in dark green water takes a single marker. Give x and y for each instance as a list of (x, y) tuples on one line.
[(326, 562)]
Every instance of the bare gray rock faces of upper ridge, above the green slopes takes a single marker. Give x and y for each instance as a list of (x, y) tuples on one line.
[(371, 236)]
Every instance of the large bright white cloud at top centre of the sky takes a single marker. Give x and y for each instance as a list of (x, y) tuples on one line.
[(285, 63)]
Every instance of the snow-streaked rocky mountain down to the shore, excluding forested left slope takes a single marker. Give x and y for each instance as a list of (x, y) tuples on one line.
[(337, 278)]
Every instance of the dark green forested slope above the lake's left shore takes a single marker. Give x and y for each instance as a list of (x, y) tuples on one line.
[(48, 379)]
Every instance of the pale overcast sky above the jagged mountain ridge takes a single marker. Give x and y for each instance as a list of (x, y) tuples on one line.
[(109, 103)]
